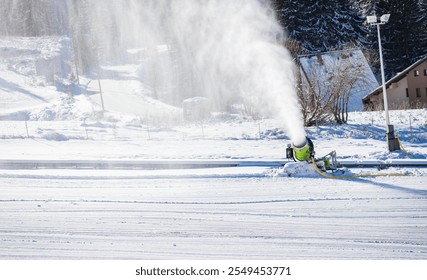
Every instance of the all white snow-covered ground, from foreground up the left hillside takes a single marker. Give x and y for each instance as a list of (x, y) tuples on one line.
[(215, 213)]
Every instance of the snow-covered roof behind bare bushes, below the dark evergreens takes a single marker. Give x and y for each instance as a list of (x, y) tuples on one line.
[(322, 67)]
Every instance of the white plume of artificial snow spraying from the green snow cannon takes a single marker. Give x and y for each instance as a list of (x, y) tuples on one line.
[(228, 51)]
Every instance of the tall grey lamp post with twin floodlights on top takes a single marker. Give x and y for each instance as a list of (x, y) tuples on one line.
[(393, 143)]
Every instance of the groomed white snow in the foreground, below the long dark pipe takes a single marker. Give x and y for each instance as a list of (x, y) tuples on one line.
[(239, 213)]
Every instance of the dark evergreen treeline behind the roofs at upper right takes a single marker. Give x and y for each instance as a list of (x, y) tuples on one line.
[(318, 26)]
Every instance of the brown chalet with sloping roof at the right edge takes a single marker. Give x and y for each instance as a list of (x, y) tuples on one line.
[(407, 90)]
